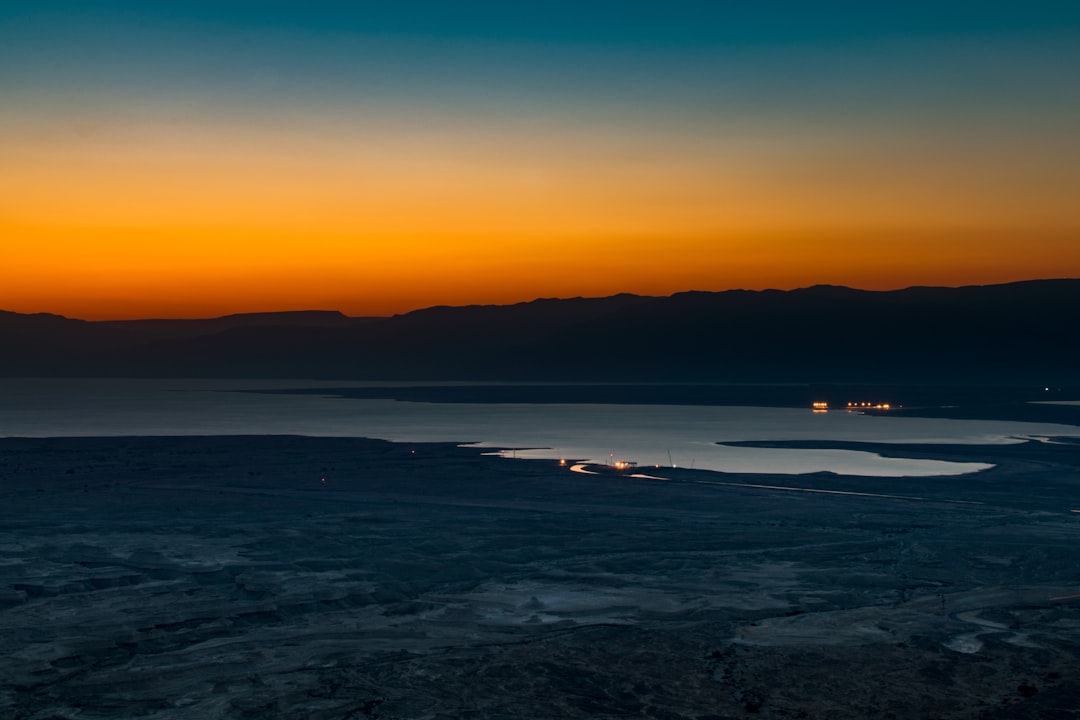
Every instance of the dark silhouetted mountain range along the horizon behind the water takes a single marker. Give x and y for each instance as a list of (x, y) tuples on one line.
[(1015, 333)]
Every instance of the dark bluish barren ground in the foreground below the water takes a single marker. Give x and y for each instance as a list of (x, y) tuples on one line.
[(222, 578)]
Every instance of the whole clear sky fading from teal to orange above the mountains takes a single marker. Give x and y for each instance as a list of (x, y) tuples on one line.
[(196, 159)]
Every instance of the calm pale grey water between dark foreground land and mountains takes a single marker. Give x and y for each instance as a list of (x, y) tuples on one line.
[(647, 434)]
